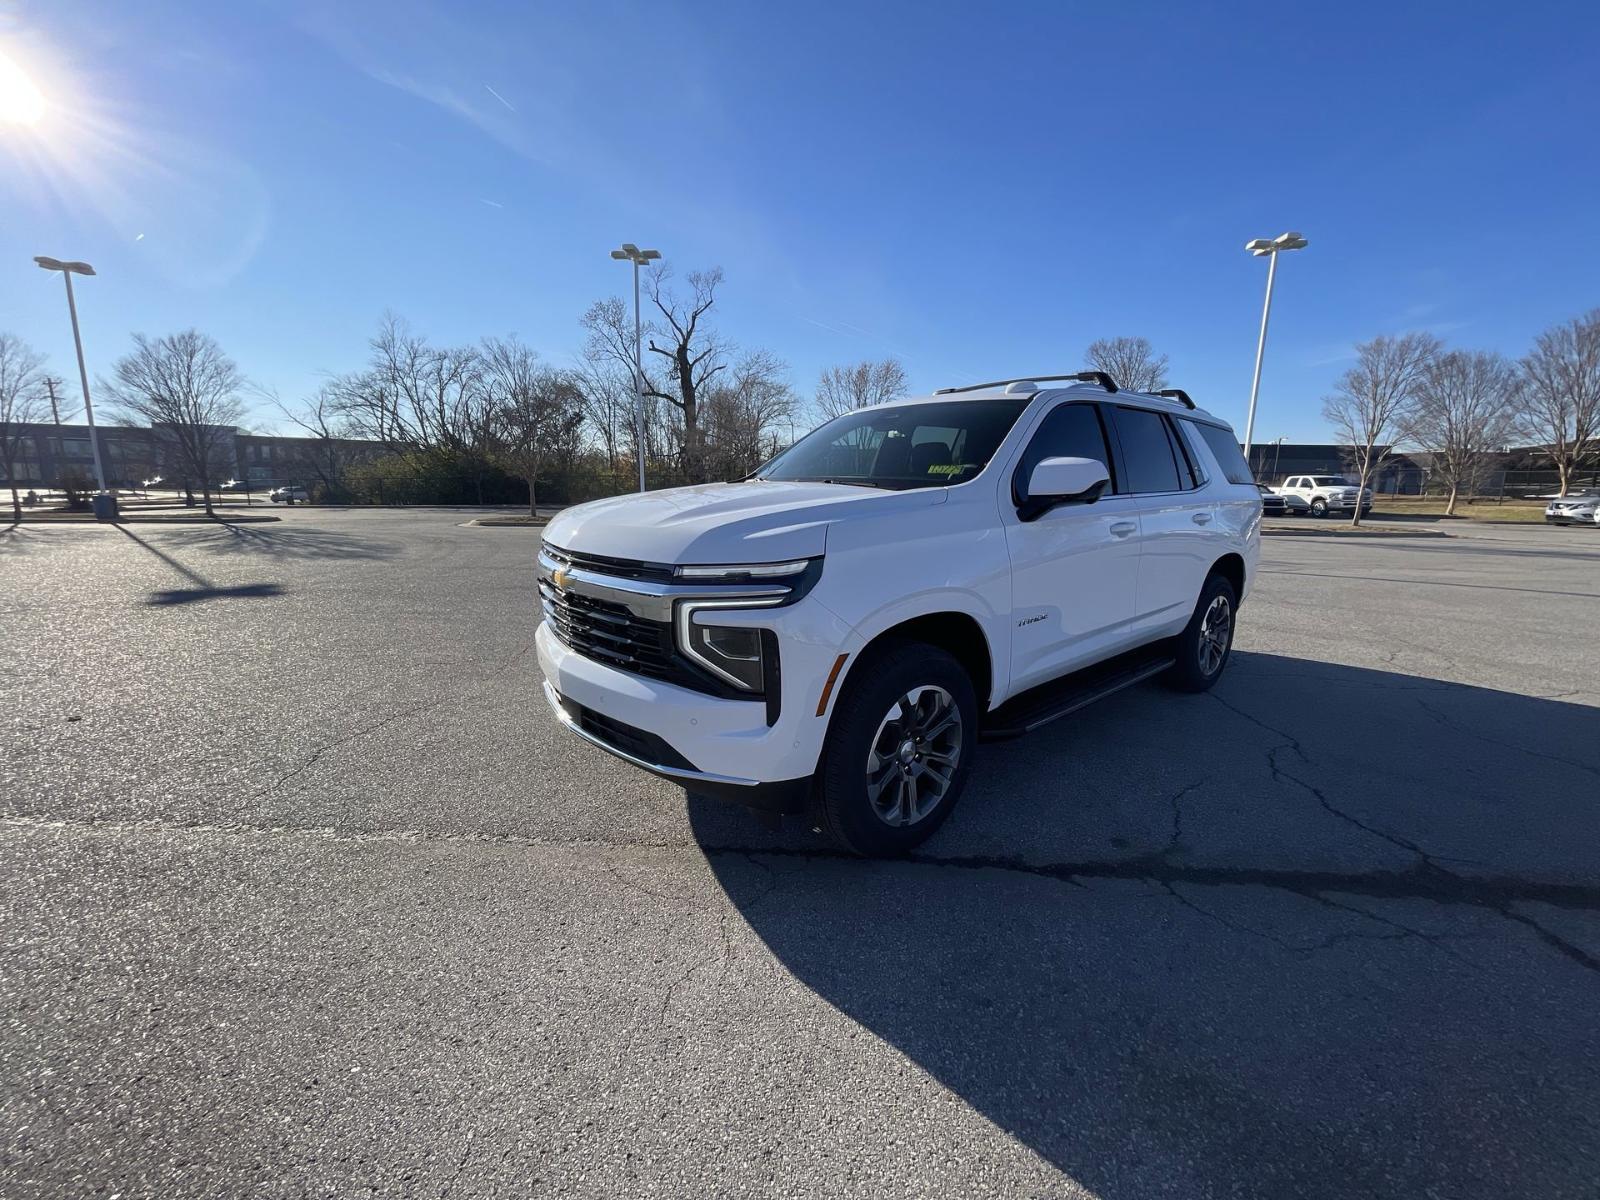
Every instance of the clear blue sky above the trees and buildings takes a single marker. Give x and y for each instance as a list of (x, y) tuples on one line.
[(975, 190)]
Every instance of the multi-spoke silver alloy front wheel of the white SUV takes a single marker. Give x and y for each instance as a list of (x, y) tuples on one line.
[(914, 754)]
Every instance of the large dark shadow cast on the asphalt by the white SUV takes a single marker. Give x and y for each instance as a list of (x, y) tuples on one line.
[(1238, 945)]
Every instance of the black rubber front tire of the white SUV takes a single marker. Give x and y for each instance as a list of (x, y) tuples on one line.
[(863, 719)]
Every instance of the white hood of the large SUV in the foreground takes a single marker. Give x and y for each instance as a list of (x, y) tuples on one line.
[(754, 522)]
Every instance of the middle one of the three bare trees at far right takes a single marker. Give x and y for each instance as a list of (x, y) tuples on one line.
[(1466, 410)]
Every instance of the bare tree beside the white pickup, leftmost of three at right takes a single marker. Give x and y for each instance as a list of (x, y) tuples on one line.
[(1372, 406)]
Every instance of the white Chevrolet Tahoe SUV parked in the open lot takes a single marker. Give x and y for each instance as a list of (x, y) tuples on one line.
[(834, 633)]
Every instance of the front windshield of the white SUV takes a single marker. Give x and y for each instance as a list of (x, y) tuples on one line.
[(930, 446)]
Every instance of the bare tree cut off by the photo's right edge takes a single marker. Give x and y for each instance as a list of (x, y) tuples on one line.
[(1562, 393)]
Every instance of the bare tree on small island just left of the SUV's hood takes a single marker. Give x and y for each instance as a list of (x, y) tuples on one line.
[(537, 410)]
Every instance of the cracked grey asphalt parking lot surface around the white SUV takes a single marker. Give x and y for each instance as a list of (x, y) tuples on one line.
[(306, 895)]
